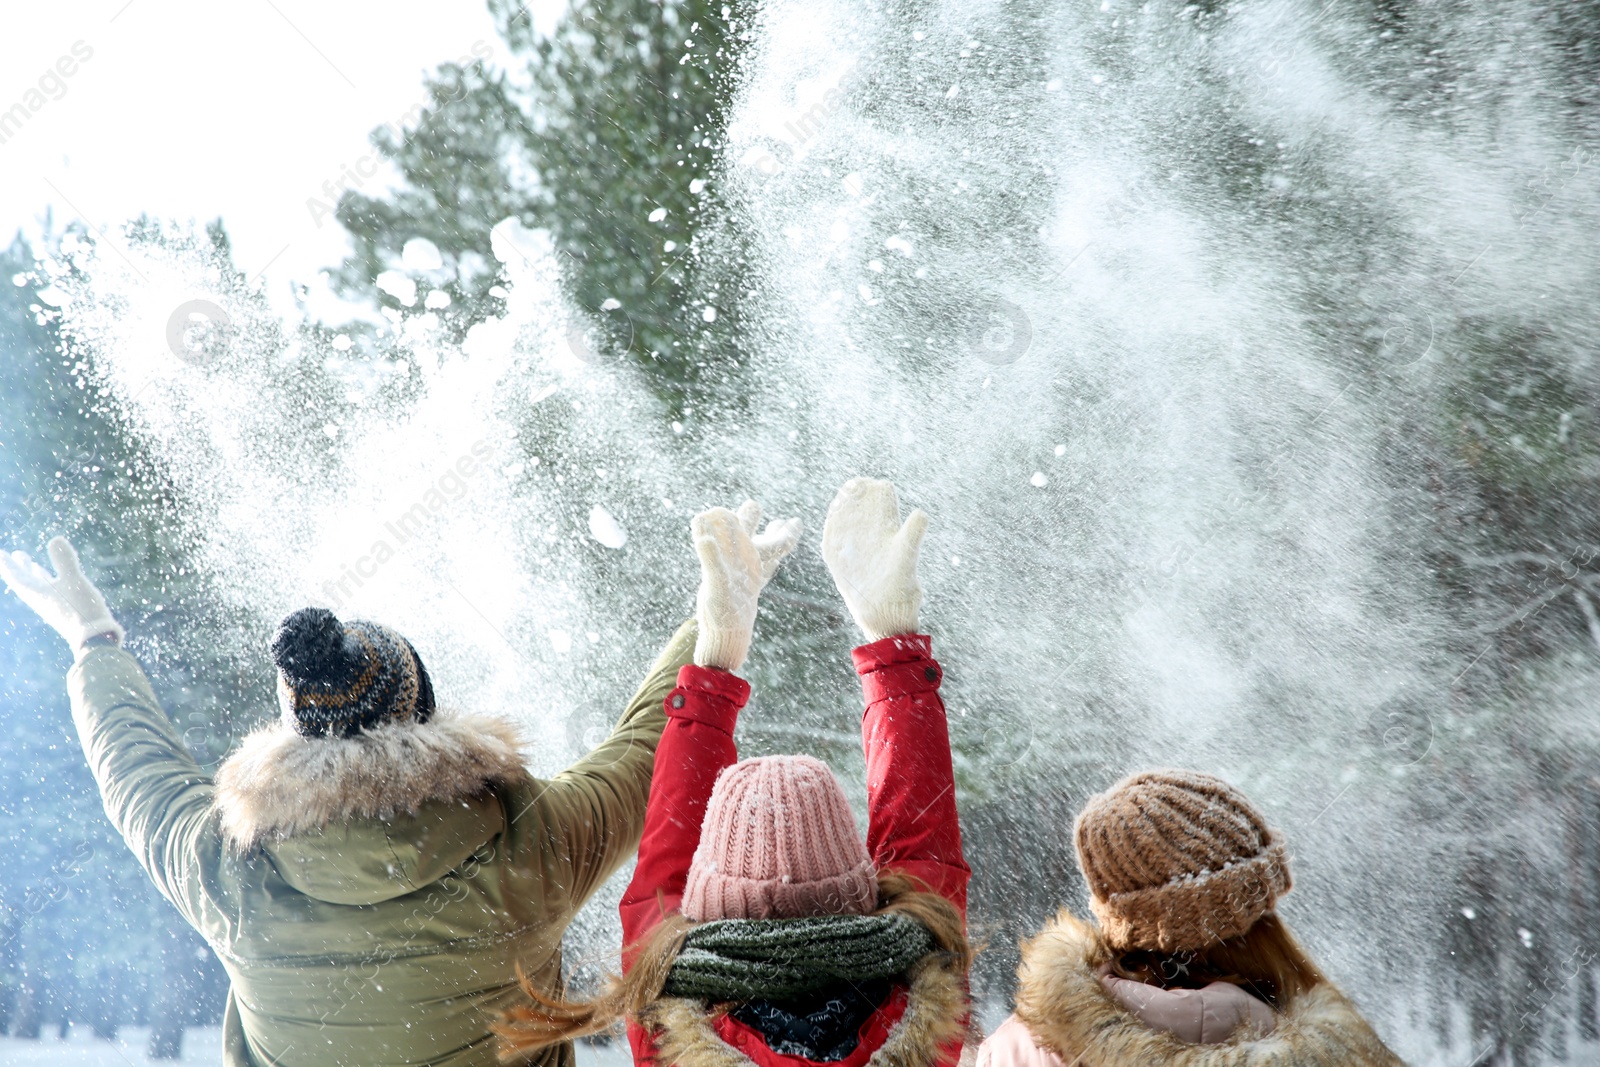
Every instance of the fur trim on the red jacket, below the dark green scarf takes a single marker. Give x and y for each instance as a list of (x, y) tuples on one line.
[(935, 1018)]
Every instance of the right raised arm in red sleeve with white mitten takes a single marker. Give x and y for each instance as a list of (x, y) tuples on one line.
[(911, 783)]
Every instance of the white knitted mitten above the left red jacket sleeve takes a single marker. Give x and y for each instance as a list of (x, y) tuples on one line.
[(737, 562)]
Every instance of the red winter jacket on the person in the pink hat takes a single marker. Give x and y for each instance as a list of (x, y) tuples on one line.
[(911, 802)]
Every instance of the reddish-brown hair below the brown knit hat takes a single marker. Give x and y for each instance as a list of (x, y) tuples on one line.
[(1266, 961)]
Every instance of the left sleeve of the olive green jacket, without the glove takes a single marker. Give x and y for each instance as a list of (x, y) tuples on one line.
[(154, 791)]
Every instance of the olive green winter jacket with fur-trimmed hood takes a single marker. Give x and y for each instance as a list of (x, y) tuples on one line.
[(370, 898)]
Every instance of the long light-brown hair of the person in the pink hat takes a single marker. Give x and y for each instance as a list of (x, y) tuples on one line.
[(545, 1020)]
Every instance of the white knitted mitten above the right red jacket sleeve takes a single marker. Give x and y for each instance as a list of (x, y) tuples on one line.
[(873, 557)]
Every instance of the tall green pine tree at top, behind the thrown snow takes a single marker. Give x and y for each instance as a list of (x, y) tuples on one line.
[(604, 134)]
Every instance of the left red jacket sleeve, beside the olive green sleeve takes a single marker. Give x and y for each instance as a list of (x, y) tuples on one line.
[(695, 749)]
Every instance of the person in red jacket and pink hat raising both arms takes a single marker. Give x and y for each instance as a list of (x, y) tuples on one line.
[(761, 927)]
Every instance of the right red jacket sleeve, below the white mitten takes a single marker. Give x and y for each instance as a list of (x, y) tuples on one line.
[(911, 785)]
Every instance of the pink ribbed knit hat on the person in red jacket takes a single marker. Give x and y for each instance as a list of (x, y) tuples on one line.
[(780, 842)]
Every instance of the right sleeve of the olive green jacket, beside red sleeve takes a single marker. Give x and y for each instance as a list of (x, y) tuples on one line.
[(594, 812)]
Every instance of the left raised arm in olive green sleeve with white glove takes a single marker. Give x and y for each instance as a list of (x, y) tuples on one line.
[(156, 794)]
